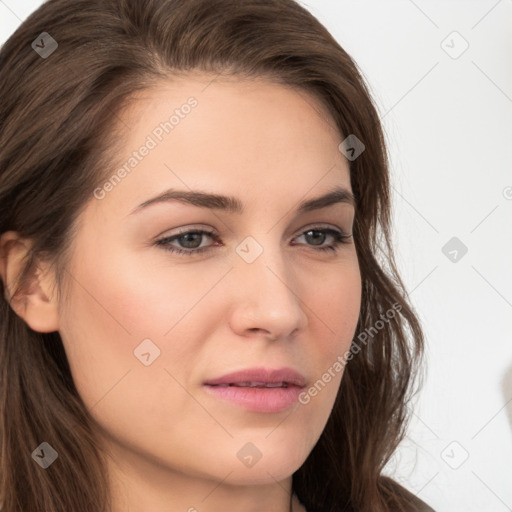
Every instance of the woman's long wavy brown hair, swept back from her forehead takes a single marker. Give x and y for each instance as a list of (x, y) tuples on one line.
[(57, 139)]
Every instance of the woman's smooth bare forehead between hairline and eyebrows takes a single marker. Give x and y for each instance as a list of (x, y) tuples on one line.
[(248, 137)]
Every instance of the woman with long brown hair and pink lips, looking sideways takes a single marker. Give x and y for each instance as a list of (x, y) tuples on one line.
[(194, 313)]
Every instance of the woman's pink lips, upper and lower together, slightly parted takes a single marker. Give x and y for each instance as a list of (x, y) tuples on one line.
[(259, 399)]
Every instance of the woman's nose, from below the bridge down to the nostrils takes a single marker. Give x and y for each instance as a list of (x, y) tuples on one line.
[(265, 300)]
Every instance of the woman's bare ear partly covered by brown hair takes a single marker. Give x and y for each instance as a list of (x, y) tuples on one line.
[(34, 302)]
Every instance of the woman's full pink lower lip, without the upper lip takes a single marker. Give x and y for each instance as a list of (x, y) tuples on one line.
[(258, 399)]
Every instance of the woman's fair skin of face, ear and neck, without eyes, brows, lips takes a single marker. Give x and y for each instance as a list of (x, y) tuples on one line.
[(166, 439)]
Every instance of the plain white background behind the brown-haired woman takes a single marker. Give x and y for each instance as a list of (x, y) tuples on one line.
[(447, 117)]
